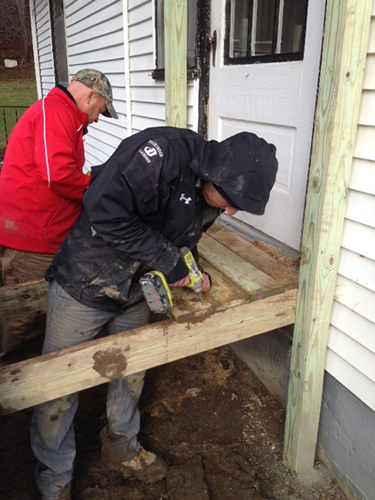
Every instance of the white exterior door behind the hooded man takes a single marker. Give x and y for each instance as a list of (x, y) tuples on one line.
[(275, 100)]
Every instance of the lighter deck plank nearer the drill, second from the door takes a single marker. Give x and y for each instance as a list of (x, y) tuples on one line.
[(252, 280)]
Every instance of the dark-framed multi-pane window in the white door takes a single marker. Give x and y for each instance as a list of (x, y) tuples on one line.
[(265, 31)]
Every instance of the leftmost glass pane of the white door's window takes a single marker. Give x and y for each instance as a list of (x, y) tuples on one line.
[(239, 28)]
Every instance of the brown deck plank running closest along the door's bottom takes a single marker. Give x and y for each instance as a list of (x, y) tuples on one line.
[(277, 267)]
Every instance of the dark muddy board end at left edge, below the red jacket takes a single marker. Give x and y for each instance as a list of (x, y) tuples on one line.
[(23, 300)]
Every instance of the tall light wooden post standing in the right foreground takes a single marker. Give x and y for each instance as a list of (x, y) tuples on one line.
[(343, 61)]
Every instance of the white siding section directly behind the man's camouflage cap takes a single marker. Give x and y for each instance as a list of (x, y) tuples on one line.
[(94, 31)]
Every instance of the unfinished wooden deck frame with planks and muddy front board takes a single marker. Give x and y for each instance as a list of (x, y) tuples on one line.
[(252, 293)]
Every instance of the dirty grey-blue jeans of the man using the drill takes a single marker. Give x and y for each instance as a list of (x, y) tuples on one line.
[(52, 437)]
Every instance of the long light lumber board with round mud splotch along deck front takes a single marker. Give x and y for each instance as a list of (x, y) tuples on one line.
[(49, 376)]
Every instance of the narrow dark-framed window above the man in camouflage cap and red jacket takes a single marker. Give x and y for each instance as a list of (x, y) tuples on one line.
[(59, 42)]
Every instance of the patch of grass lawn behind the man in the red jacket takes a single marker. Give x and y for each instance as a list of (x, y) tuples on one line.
[(17, 88)]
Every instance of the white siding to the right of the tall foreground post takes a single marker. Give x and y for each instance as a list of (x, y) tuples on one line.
[(351, 346)]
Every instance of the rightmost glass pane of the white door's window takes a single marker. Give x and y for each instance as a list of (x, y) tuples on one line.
[(293, 25)]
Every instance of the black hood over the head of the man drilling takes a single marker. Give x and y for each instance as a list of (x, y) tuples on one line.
[(243, 166)]
